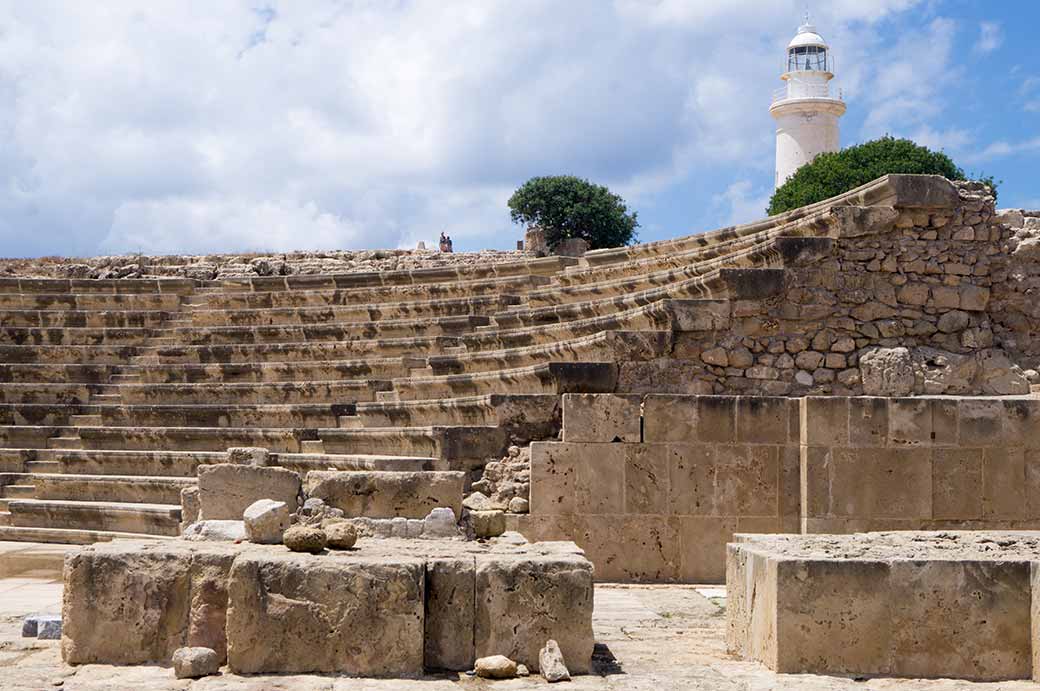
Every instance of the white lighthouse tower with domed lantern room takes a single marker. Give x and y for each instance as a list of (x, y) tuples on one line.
[(805, 110)]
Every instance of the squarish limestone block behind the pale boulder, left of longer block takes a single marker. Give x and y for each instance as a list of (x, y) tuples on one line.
[(227, 490)]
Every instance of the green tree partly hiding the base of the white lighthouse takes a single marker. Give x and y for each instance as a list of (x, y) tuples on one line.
[(834, 174)]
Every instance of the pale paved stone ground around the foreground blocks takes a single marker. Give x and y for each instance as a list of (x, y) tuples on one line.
[(653, 638)]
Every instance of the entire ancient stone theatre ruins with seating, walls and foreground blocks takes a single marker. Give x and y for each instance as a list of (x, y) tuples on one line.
[(404, 464)]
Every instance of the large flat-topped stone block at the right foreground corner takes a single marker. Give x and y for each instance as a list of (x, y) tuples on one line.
[(917, 604)]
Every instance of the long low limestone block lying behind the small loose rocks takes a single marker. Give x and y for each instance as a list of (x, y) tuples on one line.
[(386, 495)]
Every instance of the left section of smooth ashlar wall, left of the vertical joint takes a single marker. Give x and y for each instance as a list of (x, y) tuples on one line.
[(661, 505)]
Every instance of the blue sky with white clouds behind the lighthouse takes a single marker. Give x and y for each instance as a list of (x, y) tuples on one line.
[(192, 126)]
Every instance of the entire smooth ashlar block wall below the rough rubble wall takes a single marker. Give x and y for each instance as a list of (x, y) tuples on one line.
[(654, 488)]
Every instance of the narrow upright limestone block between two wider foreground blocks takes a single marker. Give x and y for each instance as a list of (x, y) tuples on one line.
[(451, 584)]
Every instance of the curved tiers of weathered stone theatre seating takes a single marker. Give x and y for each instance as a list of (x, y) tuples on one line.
[(113, 393)]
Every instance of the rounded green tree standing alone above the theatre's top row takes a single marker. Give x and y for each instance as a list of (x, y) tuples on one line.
[(565, 207)]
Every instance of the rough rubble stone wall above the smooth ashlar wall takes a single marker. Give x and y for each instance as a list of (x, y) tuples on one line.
[(915, 300)]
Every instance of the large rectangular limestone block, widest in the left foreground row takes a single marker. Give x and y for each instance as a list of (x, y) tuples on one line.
[(340, 615)]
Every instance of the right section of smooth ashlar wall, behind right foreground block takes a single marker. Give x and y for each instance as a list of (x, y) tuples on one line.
[(920, 464)]
